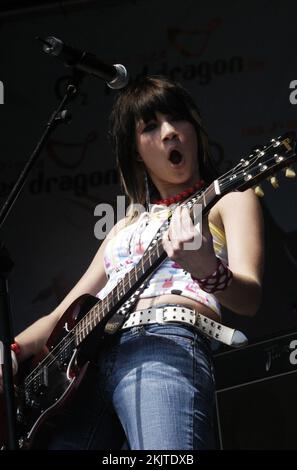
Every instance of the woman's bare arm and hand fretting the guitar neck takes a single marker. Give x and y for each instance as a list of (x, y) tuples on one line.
[(241, 216)]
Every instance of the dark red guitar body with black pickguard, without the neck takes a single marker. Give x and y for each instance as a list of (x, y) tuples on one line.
[(45, 383)]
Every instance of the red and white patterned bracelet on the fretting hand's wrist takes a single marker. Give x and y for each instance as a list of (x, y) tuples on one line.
[(219, 280)]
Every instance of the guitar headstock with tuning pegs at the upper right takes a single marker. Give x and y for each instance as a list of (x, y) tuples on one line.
[(261, 164)]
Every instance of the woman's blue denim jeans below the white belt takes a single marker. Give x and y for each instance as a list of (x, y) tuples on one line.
[(153, 386)]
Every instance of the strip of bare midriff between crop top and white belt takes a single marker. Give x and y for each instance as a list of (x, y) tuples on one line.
[(177, 299)]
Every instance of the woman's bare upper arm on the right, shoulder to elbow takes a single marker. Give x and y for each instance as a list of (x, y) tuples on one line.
[(243, 222)]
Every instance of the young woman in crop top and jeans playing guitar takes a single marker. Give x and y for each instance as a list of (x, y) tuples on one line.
[(153, 384)]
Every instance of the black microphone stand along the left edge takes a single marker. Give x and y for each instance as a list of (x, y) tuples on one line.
[(60, 115)]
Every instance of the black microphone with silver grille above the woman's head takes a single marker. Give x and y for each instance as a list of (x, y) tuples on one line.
[(116, 76)]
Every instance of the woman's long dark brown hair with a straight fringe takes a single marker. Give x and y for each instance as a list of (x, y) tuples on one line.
[(141, 99)]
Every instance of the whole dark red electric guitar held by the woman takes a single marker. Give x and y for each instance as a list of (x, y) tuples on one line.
[(46, 382)]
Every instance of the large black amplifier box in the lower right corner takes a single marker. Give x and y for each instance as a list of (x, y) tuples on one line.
[(256, 390)]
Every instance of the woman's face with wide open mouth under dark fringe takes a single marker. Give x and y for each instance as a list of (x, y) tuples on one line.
[(168, 147)]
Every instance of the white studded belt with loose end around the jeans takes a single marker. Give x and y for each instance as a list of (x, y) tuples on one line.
[(179, 314)]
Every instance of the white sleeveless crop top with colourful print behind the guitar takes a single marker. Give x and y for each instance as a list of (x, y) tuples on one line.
[(125, 250)]
